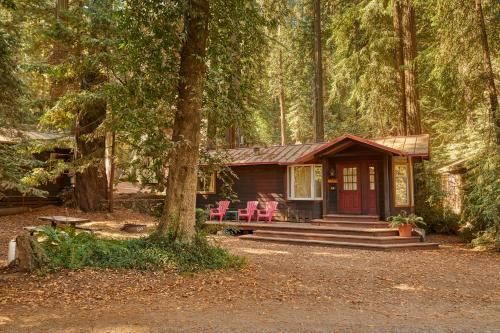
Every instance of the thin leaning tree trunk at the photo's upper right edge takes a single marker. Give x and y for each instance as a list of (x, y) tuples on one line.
[(488, 71)]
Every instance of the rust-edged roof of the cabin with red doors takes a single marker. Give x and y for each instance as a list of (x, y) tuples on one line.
[(414, 145)]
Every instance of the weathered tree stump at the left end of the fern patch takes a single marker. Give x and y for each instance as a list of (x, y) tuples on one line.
[(29, 254)]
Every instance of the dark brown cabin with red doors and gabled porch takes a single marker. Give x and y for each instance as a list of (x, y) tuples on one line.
[(349, 175)]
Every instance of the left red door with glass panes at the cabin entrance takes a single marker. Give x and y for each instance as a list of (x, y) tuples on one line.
[(349, 188)]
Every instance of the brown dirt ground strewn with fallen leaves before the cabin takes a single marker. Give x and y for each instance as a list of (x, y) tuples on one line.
[(284, 288)]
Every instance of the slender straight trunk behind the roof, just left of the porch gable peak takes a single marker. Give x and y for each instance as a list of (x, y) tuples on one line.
[(318, 118)]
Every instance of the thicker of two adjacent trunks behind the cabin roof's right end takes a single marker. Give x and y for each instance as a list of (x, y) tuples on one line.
[(410, 70)]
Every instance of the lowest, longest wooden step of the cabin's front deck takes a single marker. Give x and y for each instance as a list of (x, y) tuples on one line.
[(419, 245)]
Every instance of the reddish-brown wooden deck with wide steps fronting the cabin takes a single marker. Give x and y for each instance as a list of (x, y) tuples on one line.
[(359, 236)]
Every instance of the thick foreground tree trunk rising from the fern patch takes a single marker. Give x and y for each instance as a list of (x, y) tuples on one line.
[(180, 203)]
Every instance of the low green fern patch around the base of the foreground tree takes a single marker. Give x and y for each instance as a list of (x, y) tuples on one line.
[(77, 250)]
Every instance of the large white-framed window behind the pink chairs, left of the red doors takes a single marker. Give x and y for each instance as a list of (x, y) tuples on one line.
[(305, 182)]
